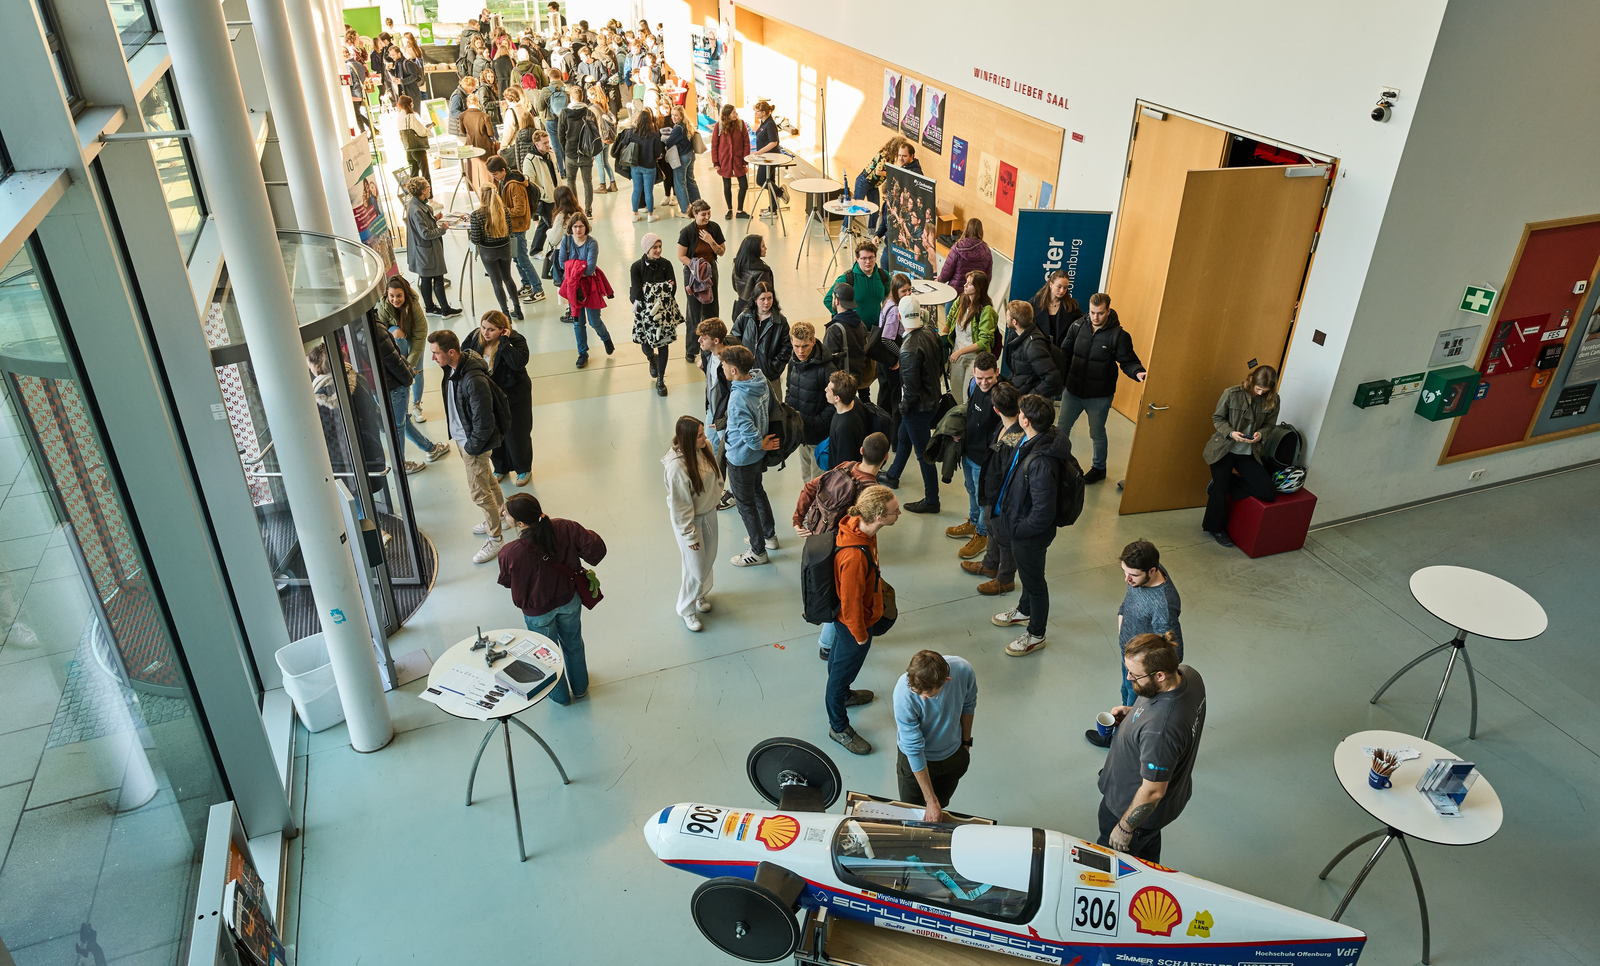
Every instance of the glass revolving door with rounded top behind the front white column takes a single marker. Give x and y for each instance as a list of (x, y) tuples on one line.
[(337, 284)]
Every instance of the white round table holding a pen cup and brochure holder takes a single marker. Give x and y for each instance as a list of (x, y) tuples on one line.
[(1407, 812)]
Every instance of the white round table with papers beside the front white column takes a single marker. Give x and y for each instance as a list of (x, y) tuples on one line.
[(545, 653)]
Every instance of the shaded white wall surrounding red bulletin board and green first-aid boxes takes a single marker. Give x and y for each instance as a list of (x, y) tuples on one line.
[(1506, 134)]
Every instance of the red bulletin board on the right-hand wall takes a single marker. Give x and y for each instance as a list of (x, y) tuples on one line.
[(1534, 386)]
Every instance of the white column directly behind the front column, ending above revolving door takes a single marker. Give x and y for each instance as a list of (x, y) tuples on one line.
[(289, 116)]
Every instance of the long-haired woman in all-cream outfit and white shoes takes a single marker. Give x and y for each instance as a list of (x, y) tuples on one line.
[(694, 489)]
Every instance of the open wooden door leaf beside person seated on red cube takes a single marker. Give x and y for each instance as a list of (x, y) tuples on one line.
[(1241, 250)]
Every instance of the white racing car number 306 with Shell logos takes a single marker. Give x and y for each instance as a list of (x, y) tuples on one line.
[(1030, 893)]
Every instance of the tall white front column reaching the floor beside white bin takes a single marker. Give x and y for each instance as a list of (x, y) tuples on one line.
[(215, 108)]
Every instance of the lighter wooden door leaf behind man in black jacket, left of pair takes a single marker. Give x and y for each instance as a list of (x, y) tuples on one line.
[(1159, 161)]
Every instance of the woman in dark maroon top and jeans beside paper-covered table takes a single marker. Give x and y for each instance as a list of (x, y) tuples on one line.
[(540, 570)]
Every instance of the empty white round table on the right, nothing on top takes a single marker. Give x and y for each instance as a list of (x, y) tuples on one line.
[(1471, 602)]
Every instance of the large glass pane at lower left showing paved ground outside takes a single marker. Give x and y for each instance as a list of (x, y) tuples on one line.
[(106, 770)]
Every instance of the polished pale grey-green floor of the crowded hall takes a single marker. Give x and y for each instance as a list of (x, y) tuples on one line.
[(393, 868)]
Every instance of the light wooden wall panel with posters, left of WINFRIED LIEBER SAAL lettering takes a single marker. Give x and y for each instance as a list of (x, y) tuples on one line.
[(790, 66)]
